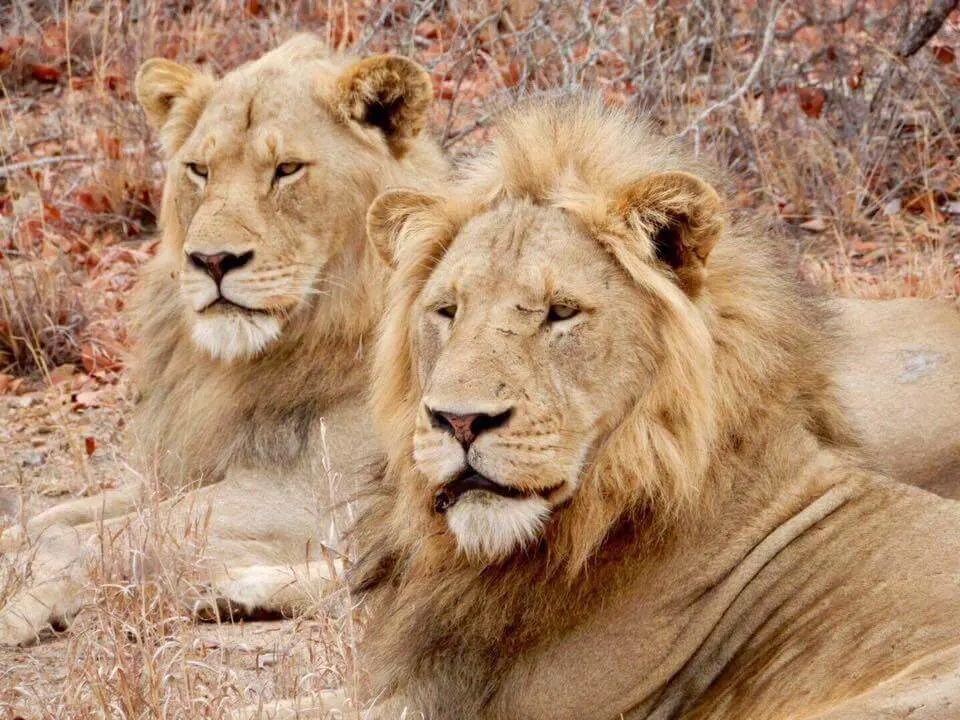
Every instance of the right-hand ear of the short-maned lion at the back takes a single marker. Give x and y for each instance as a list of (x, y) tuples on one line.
[(387, 92)]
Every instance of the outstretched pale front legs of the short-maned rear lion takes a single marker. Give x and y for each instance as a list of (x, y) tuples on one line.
[(255, 549)]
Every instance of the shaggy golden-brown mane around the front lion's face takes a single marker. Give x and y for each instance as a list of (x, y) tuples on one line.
[(743, 373)]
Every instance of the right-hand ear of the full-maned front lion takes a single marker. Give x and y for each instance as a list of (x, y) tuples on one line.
[(681, 215)]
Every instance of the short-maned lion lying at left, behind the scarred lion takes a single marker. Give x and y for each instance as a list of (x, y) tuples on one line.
[(252, 322)]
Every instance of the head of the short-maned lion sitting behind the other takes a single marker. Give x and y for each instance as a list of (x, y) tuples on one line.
[(270, 172)]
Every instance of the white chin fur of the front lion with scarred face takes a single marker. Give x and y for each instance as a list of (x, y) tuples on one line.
[(492, 527)]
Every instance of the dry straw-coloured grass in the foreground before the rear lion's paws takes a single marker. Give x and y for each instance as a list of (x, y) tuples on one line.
[(136, 650)]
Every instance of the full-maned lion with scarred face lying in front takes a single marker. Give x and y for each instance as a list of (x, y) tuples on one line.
[(619, 482)]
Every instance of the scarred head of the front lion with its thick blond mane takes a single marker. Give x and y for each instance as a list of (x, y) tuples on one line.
[(549, 359)]
